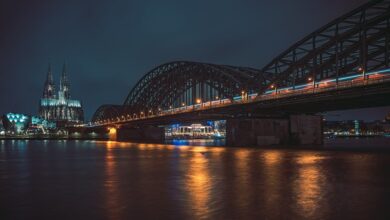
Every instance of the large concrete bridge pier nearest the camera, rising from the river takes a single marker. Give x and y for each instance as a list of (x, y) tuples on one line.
[(294, 130)]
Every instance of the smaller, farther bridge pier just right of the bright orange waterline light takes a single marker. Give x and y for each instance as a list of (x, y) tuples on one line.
[(141, 134)]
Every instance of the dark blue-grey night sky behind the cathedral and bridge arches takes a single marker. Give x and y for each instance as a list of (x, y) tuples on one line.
[(110, 44)]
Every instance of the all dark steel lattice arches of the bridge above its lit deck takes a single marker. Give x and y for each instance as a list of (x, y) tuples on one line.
[(356, 42)]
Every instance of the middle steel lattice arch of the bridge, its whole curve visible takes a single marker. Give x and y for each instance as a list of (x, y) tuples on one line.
[(182, 83)]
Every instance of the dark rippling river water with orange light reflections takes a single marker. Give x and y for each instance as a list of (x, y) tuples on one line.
[(112, 180)]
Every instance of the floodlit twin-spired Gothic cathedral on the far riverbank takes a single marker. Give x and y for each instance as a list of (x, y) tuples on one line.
[(60, 108)]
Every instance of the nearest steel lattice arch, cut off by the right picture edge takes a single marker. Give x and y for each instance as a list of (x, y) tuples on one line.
[(357, 41)]
